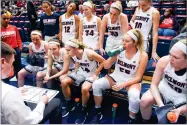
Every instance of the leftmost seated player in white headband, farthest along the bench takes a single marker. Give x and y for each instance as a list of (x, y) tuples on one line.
[(37, 47)]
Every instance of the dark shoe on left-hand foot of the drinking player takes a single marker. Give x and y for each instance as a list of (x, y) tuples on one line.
[(97, 117)]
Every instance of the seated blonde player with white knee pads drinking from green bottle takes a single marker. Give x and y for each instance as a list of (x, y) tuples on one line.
[(129, 68)]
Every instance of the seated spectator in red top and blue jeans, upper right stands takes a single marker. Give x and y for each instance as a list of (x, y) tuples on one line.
[(168, 24)]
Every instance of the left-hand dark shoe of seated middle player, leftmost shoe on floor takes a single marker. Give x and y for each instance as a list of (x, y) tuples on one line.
[(70, 107)]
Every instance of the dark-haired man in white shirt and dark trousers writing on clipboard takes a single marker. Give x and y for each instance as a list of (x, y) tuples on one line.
[(13, 108)]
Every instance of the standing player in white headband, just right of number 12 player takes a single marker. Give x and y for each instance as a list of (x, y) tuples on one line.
[(89, 27)]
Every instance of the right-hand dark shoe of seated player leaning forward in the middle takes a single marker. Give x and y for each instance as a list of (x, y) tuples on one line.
[(82, 116)]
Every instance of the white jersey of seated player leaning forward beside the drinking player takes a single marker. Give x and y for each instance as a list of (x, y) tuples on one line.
[(87, 66)]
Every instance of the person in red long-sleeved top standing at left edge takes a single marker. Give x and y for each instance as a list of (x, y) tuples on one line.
[(11, 36)]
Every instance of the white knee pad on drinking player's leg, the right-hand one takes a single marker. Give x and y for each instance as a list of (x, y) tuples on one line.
[(134, 100)]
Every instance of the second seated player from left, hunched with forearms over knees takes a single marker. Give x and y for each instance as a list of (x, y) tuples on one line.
[(59, 64)]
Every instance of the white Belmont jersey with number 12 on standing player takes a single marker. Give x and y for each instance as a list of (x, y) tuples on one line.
[(69, 28)]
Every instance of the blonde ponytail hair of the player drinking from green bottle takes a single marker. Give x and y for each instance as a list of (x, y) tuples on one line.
[(140, 42)]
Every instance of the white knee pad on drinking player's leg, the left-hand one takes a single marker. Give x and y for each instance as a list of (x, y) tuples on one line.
[(100, 85)]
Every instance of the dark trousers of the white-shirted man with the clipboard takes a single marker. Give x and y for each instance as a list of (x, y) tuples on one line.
[(52, 112)]
